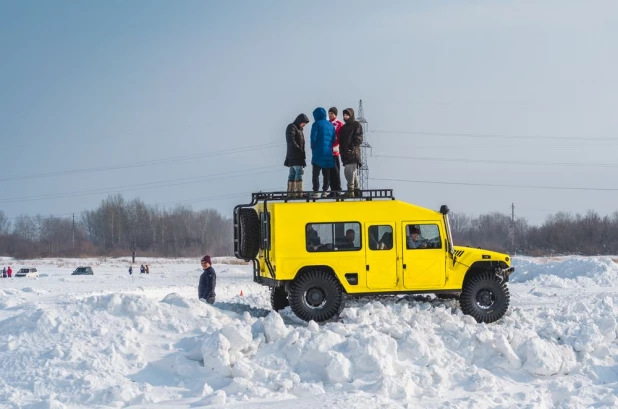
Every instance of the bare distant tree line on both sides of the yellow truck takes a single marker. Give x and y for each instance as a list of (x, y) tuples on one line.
[(117, 227)]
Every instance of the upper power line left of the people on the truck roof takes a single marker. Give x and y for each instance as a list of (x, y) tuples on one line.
[(173, 159)]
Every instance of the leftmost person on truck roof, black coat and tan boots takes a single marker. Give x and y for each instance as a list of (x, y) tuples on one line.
[(295, 158)]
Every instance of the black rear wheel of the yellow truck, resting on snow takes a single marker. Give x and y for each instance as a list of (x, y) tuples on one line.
[(315, 295)]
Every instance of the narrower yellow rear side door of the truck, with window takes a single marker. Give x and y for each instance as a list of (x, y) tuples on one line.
[(381, 256)]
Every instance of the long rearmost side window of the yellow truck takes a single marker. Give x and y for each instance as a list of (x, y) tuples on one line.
[(333, 236)]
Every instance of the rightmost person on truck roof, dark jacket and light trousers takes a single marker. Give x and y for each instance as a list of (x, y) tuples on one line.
[(350, 141)]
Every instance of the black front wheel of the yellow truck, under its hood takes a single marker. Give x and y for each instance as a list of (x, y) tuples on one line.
[(485, 297)]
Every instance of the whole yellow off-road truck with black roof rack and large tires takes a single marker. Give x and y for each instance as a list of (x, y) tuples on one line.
[(311, 251)]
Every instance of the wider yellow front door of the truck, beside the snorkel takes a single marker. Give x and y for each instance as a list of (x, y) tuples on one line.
[(423, 255)]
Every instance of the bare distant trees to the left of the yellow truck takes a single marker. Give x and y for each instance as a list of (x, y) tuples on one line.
[(117, 228)]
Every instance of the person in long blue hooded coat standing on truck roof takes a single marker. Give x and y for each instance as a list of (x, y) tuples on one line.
[(322, 139)]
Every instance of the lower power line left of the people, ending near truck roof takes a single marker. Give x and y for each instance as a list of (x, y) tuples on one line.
[(142, 186)]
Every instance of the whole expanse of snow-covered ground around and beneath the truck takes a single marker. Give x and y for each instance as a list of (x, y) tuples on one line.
[(111, 340)]
